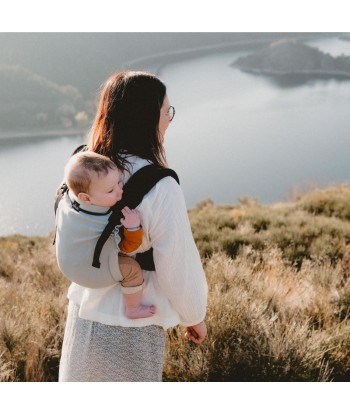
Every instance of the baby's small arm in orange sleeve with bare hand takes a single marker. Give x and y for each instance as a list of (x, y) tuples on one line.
[(132, 230)]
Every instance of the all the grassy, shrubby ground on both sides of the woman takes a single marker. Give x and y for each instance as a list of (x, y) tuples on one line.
[(279, 297)]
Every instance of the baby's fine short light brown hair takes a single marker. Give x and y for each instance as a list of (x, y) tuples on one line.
[(78, 171)]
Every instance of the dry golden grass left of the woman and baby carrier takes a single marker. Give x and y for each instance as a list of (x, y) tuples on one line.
[(32, 310)]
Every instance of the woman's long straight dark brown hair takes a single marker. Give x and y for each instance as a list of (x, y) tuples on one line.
[(127, 118)]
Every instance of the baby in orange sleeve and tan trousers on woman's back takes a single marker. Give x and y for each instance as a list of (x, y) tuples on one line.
[(93, 179)]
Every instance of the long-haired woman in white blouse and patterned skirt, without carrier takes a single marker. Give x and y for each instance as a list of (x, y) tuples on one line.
[(100, 343)]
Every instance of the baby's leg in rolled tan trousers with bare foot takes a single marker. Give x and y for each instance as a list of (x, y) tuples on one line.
[(132, 289)]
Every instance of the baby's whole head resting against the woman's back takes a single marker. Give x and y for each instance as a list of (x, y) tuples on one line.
[(94, 179)]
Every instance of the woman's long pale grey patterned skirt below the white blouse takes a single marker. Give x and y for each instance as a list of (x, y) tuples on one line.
[(95, 352)]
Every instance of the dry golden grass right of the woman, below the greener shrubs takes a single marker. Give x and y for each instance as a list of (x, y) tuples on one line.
[(268, 322)]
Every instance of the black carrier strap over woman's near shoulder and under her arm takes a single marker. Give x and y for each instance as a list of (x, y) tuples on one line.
[(139, 184)]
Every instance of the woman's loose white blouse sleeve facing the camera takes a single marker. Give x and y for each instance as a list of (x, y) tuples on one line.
[(177, 261)]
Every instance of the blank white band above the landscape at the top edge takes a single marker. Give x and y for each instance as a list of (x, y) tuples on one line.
[(174, 15)]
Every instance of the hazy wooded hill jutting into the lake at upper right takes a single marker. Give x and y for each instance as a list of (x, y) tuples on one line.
[(288, 57)]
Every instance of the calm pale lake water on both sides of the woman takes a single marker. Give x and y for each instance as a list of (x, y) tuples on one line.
[(234, 135)]
